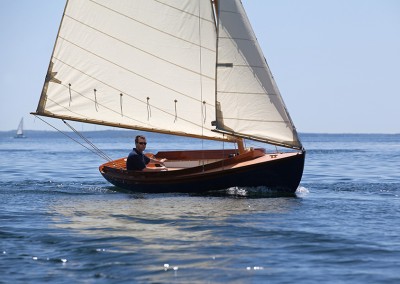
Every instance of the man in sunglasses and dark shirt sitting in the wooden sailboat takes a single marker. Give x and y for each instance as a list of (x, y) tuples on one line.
[(137, 161)]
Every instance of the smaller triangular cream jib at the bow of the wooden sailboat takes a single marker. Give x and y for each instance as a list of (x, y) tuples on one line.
[(248, 101)]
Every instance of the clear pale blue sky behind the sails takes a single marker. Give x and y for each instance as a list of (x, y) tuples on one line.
[(336, 62)]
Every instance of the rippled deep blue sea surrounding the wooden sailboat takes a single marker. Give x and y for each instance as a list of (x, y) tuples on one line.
[(60, 221)]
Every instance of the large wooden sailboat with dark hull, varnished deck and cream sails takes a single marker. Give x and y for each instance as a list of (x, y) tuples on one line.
[(189, 68)]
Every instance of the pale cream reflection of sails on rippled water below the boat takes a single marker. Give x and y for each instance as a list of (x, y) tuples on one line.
[(164, 217)]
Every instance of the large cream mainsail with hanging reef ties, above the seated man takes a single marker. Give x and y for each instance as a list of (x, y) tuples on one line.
[(139, 64)]
